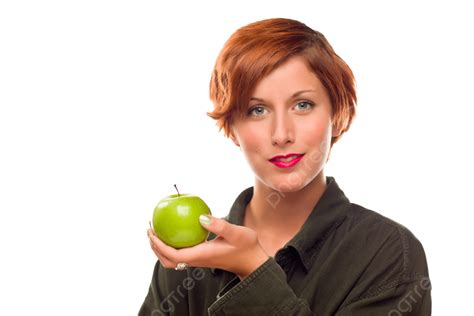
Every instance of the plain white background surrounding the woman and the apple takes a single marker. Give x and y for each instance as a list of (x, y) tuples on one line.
[(102, 110)]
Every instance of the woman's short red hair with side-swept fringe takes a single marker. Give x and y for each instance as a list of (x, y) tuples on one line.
[(256, 49)]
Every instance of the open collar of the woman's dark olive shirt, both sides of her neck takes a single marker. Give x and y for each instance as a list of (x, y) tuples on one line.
[(328, 213)]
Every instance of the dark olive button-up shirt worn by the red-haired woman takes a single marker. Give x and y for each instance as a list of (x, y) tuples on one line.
[(345, 260)]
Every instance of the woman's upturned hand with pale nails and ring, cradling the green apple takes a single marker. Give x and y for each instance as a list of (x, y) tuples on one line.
[(235, 249)]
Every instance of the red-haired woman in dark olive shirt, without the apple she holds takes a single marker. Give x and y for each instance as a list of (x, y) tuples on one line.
[(293, 244)]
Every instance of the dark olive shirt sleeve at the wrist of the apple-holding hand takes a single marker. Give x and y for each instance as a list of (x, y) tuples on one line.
[(264, 292)]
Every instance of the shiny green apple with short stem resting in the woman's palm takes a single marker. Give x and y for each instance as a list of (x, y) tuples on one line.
[(176, 220)]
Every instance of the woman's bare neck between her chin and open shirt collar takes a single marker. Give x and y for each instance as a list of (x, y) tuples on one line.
[(274, 213)]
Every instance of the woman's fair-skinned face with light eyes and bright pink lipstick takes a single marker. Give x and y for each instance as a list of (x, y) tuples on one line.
[(289, 112)]
